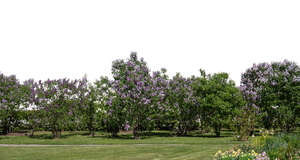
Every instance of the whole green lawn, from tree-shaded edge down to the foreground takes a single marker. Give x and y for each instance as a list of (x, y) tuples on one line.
[(156, 146)]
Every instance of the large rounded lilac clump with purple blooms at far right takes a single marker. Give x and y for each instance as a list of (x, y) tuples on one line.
[(272, 90)]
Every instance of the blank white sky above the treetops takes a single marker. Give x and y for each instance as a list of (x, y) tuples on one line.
[(68, 38)]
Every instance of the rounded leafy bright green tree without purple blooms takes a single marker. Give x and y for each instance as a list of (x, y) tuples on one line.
[(219, 99)]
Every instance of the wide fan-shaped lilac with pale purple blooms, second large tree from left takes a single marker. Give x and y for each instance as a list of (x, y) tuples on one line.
[(56, 100)]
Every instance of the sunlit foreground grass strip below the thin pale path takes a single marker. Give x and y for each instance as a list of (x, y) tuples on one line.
[(111, 152)]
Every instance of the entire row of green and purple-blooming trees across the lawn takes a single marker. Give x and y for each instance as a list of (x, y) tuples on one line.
[(137, 99)]
